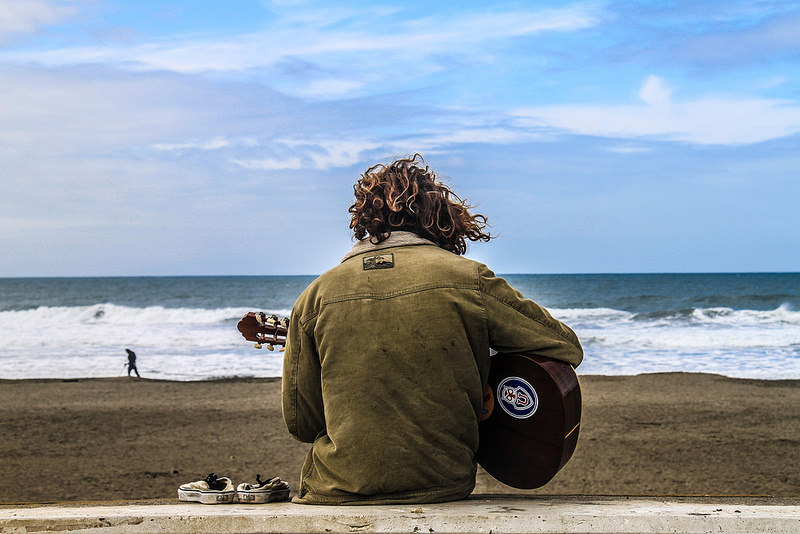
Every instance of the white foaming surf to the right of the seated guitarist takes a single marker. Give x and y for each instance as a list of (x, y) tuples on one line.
[(737, 343)]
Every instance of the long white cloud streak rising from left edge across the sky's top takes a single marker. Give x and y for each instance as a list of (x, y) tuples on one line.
[(356, 56)]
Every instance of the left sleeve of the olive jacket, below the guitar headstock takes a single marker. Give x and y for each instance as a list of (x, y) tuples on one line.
[(301, 389)]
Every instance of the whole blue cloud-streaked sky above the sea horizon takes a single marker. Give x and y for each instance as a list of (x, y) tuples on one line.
[(188, 138)]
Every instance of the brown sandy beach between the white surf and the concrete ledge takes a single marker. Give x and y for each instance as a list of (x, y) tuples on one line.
[(121, 438)]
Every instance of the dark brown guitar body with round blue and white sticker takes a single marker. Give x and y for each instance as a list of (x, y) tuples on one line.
[(533, 419)]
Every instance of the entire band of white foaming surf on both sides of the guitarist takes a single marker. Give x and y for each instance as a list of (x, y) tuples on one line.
[(191, 344)]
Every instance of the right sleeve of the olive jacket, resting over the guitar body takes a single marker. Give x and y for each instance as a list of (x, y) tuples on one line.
[(517, 324)]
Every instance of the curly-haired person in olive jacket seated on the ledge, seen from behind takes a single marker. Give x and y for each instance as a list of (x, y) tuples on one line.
[(387, 354)]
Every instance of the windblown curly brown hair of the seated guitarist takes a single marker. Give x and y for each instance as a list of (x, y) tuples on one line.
[(407, 195)]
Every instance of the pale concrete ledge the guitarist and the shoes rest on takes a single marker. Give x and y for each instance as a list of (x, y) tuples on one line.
[(542, 514)]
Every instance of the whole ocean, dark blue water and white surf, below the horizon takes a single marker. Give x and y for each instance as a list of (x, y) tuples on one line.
[(184, 328)]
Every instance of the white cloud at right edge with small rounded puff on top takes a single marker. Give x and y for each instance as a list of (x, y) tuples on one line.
[(705, 121)]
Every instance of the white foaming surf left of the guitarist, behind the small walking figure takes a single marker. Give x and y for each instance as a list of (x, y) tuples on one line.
[(88, 341)]
